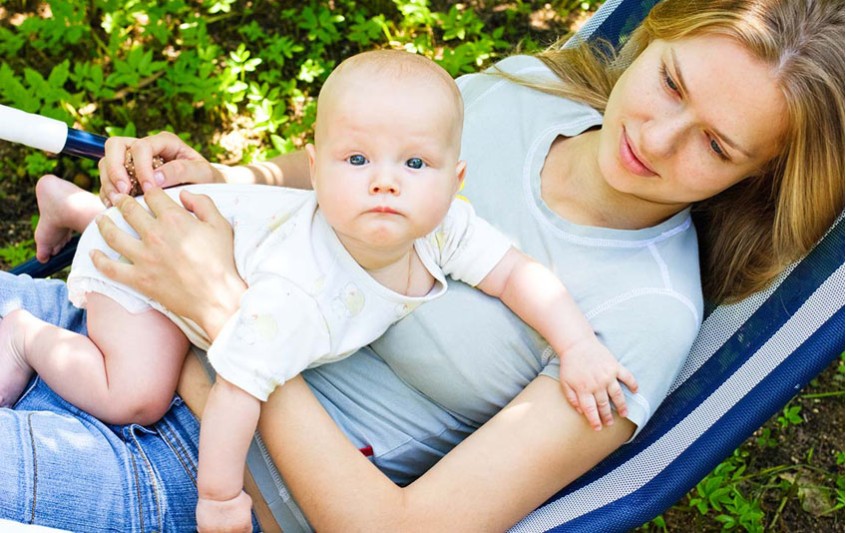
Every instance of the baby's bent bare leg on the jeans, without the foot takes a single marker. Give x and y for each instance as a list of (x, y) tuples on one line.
[(126, 371)]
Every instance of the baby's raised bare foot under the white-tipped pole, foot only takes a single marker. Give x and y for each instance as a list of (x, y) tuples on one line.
[(51, 233)]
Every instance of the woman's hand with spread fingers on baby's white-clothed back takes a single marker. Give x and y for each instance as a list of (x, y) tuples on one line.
[(184, 263)]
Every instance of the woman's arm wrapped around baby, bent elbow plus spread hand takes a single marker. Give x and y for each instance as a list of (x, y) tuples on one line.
[(533, 447)]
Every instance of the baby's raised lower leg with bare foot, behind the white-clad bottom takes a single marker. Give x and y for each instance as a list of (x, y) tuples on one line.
[(63, 208)]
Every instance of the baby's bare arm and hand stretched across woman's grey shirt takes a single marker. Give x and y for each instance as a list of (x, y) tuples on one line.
[(590, 374)]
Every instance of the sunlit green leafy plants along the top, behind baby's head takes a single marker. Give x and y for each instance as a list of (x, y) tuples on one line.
[(214, 67)]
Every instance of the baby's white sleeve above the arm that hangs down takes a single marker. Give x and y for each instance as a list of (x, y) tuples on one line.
[(276, 333)]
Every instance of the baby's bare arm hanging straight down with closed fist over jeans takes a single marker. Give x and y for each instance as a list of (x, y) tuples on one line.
[(228, 423)]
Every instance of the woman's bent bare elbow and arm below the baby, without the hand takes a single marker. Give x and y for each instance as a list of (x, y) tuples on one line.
[(532, 448)]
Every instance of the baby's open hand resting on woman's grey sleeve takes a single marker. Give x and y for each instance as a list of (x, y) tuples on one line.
[(590, 377)]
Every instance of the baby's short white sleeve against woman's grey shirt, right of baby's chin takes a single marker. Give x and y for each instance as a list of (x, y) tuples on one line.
[(466, 246)]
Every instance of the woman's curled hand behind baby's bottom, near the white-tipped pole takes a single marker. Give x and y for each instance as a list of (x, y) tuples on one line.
[(183, 165)]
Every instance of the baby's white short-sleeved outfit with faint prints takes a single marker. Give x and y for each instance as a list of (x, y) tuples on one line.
[(308, 301)]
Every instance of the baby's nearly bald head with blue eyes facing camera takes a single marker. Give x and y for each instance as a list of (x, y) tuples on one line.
[(386, 145)]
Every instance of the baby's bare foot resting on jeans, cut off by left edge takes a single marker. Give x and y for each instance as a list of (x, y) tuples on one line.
[(14, 370)]
